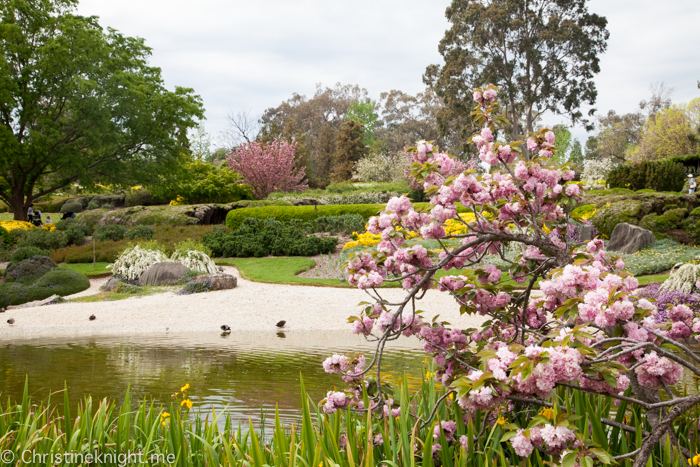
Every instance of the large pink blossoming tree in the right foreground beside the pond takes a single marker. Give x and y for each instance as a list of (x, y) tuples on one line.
[(585, 329)]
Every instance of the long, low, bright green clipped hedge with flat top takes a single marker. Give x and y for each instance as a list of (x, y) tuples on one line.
[(309, 213)]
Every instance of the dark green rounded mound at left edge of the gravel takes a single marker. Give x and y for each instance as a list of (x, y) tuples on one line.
[(54, 282)]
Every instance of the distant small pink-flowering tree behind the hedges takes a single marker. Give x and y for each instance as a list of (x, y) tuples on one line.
[(268, 167)]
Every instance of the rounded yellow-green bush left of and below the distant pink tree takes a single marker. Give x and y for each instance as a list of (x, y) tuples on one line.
[(200, 182)]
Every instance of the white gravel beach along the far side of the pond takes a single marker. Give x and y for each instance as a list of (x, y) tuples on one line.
[(251, 306)]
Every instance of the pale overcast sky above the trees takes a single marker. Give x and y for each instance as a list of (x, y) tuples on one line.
[(243, 54)]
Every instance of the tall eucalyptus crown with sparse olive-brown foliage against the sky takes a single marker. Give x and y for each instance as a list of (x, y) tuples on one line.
[(542, 55)]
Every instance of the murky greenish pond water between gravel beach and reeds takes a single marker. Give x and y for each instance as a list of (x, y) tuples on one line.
[(241, 372)]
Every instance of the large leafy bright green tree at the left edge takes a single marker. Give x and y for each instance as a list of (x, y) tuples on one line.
[(78, 104)]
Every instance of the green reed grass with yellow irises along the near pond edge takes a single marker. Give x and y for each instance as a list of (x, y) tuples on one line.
[(150, 434)]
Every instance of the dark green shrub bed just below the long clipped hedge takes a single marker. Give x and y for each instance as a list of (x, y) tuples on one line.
[(264, 237)]
